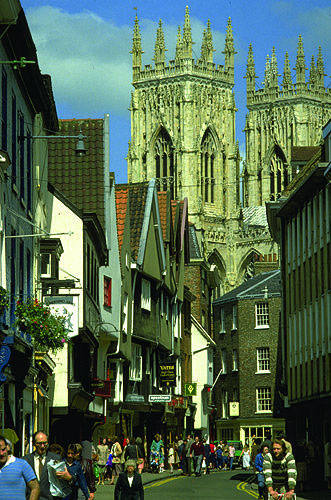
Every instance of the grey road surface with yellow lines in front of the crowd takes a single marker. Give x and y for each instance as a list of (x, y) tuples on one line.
[(224, 485)]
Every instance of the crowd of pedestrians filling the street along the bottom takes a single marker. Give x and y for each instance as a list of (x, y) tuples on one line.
[(53, 473)]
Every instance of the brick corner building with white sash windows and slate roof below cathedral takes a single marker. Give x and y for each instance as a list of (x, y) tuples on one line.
[(247, 359)]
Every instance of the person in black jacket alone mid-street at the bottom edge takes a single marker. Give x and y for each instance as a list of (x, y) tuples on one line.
[(129, 485)]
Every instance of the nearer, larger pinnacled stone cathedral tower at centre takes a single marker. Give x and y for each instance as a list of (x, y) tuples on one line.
[(183, 123)]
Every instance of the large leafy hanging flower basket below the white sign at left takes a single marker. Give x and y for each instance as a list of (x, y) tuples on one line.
[(47, 330)]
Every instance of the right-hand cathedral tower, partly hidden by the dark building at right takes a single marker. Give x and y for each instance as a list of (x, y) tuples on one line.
[(280, 118)]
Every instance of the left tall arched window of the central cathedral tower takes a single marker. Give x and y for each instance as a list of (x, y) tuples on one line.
[(164, 163)]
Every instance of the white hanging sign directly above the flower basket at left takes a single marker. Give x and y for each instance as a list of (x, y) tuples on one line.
[(65, 305)]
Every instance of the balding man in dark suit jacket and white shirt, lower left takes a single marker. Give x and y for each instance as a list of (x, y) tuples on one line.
[(38, 461)]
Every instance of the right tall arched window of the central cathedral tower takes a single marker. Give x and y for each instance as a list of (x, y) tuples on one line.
[(208, 168)]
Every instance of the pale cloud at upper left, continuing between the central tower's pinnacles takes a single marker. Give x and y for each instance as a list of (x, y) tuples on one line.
[(89, 61)]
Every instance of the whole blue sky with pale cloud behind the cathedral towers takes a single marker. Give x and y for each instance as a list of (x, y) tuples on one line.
[(85, 46)]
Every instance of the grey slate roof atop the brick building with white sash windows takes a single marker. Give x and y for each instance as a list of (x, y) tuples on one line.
[(255, 287)]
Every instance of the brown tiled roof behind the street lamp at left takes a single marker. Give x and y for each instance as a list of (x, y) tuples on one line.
[(79, 178)]
